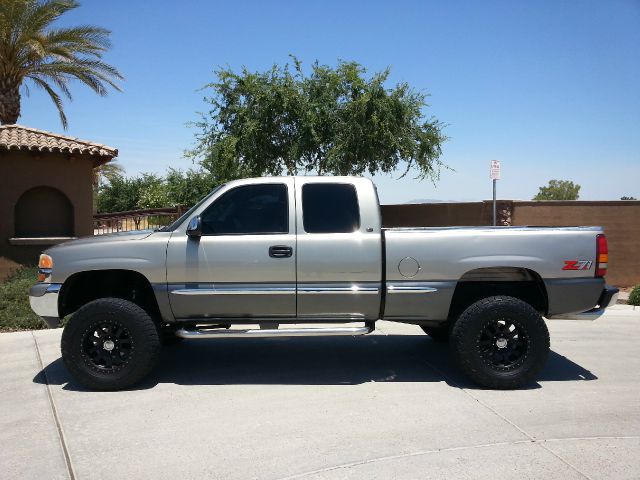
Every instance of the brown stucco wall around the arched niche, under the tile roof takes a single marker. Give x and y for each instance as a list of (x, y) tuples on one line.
[(21, 171)]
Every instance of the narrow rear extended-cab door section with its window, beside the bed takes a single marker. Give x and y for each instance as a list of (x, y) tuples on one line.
[(339, 263)]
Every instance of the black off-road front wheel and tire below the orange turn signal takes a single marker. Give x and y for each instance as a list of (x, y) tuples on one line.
[(101, 321)]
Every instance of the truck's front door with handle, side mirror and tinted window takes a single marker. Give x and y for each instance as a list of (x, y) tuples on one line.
[(243, 265)]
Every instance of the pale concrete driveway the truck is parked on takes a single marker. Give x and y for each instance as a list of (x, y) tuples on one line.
[(390, 405)]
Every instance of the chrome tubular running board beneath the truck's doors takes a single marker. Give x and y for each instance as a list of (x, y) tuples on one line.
[(206, 333)]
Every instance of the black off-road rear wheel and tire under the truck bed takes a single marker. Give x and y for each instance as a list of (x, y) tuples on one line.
[(500, 342)]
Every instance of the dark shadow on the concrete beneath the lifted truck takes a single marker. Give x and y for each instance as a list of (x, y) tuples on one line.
[(312, 361)]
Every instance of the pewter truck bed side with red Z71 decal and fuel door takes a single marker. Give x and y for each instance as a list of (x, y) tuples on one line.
[(436, 259)]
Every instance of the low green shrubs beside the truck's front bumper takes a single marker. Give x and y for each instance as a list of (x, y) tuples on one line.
[(15, 312)]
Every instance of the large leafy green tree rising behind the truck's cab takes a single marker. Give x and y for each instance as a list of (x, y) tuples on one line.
[(329, 121)]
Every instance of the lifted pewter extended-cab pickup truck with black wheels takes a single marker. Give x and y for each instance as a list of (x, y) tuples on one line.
[(307, 256)]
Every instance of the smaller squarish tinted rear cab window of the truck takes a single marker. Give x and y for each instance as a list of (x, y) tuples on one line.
[(330, 208)]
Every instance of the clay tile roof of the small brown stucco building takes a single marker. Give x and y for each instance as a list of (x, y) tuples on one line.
[(24, 138)]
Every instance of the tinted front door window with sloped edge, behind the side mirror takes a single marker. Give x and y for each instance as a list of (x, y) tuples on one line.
[(246, 210)]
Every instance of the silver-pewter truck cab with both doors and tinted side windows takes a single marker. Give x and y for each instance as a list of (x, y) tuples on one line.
[(278, 249)]
